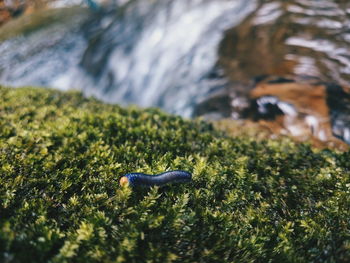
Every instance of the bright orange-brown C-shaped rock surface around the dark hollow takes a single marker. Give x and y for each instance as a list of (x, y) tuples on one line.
[(312, 120)]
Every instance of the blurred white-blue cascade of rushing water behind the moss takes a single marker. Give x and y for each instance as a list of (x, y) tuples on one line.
[(151, 53)]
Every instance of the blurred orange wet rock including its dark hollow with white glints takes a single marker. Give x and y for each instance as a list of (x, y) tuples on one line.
[(304, 110)]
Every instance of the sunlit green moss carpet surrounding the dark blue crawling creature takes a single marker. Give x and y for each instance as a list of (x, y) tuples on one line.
[(61, 156)]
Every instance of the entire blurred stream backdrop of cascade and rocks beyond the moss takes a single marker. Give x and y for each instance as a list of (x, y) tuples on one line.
[(281, 65)]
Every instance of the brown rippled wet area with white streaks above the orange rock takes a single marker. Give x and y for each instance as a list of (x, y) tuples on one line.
[(288, 39)]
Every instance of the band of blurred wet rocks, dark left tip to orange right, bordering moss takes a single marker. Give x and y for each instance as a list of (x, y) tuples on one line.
[(304, 108)]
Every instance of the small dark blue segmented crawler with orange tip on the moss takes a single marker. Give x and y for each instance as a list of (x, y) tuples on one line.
[(147, 180)]
